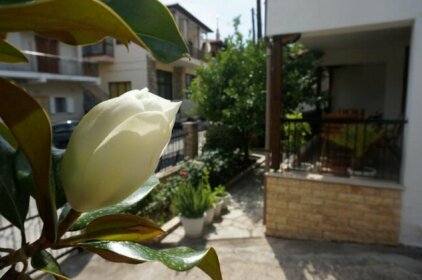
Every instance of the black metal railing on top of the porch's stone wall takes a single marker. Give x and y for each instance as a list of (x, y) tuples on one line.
[(343, 147)]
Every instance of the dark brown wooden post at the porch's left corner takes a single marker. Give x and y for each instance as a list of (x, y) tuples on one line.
[(273, 103)]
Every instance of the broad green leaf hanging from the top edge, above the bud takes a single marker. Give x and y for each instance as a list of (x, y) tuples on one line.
[(154, 24)]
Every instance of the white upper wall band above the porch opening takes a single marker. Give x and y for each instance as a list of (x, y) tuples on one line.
[(301, 16)]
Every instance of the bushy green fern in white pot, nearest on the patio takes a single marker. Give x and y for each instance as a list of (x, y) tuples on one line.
[(191, 203)]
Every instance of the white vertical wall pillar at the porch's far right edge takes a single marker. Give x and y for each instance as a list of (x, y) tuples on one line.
[(411, 220)]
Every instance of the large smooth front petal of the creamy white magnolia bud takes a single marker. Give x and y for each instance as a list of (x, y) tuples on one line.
[(122, 162)]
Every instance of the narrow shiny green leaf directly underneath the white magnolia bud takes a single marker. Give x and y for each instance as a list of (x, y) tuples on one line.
[(137, 196)]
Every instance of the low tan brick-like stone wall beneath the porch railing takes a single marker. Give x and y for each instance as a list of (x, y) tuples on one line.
[(317, 210)]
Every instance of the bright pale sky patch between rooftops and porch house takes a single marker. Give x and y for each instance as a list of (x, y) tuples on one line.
[(226, 10)]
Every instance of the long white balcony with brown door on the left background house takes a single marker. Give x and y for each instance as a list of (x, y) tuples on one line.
[(43, 67)]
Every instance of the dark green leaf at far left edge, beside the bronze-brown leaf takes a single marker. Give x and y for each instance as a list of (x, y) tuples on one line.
[(15, 200)]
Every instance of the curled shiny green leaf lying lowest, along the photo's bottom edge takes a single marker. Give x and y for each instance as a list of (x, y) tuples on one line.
[(180, 259)]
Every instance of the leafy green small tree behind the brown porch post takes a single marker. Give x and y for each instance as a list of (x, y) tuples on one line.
[(231, 89)]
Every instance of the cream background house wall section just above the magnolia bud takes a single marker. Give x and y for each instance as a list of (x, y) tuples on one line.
[(130, 65)]
